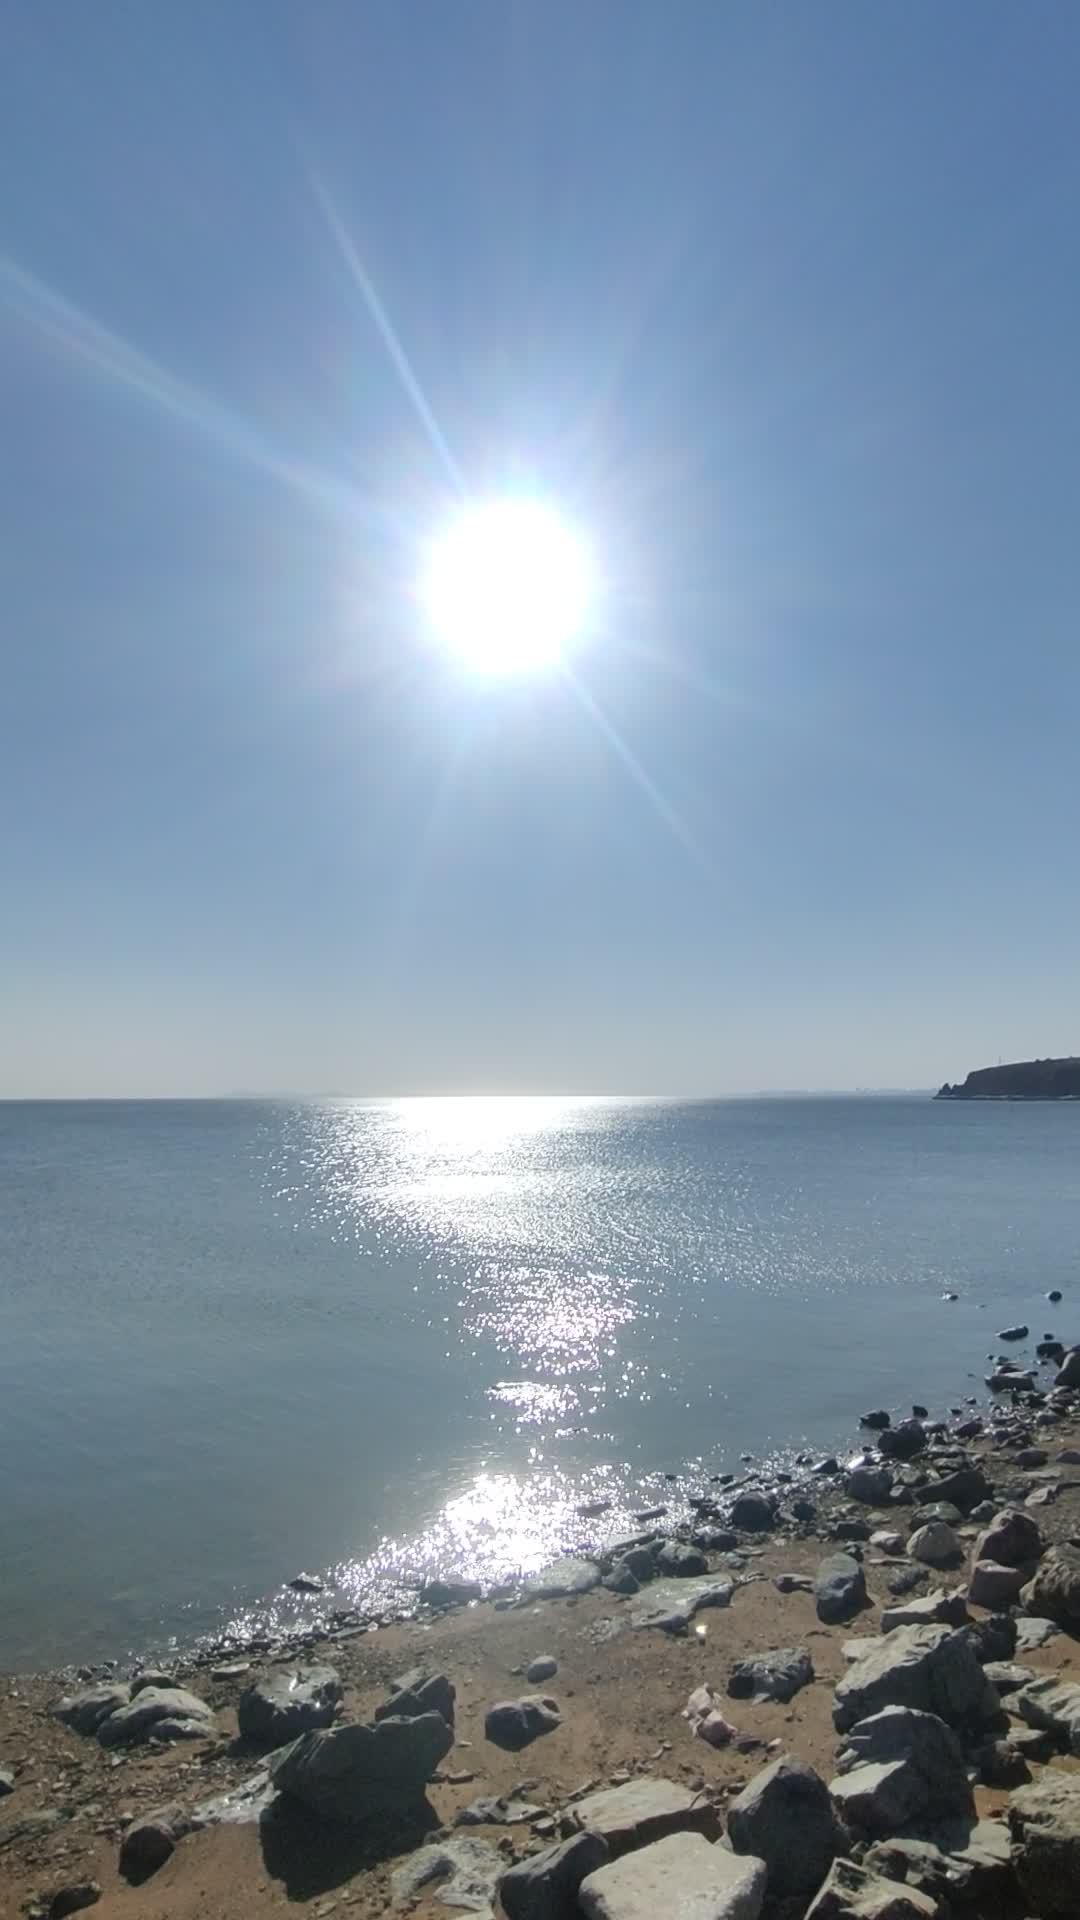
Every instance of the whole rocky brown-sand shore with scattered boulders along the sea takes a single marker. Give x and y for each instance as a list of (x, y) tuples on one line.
[(847, 1694)]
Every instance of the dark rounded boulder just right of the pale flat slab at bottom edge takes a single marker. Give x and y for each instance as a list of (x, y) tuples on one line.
[(785, 1819)]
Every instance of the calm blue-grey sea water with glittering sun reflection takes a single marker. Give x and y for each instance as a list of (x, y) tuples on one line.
[(374, 1339)]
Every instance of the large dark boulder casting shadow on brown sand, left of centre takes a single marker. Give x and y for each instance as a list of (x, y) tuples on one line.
[(356, 1773)]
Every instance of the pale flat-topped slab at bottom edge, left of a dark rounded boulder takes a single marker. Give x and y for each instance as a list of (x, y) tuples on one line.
[(683, 1879)]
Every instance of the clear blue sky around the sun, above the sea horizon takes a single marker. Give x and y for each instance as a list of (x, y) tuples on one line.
[(779, 304)]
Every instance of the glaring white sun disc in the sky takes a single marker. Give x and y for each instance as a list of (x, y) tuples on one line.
[(508, 587)]
